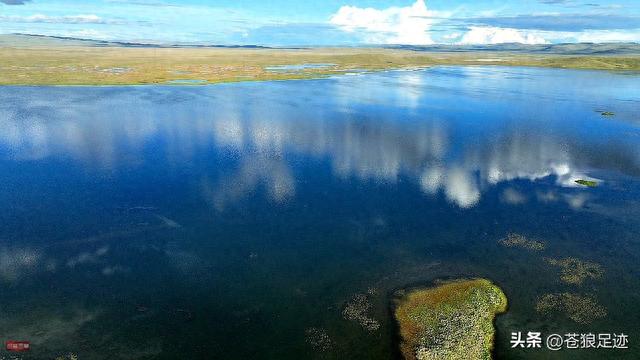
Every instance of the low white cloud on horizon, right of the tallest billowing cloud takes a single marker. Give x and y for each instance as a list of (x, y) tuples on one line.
[(496, 35)]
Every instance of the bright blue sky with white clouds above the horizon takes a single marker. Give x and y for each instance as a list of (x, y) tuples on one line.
[(328, 22)]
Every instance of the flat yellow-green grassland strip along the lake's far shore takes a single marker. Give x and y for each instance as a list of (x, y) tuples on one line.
[(47, 64)]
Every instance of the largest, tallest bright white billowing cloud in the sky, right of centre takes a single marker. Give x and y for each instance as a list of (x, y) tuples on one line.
[(395, 25)]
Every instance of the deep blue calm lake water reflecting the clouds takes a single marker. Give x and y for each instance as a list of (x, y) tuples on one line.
[(220, 222)]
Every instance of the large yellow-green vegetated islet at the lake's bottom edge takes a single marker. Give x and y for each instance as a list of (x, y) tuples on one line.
[(453, 320)]
